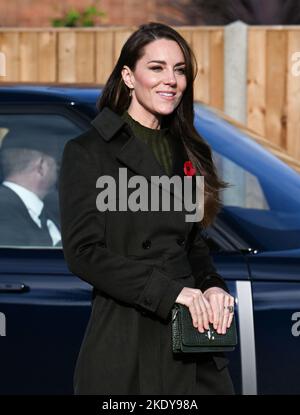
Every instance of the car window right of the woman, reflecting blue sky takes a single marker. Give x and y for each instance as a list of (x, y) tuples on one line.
[(264, 211)]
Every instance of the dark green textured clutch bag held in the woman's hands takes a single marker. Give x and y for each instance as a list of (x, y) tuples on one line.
[(187, 339)]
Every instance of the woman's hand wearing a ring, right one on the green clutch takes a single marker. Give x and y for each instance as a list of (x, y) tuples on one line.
[(222, 305)]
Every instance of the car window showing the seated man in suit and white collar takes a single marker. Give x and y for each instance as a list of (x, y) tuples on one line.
[(31, 147)]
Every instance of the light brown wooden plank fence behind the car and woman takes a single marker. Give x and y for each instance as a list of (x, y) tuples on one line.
[(88, 55)]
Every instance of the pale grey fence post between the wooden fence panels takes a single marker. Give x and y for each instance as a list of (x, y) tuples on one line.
[(235, 70)]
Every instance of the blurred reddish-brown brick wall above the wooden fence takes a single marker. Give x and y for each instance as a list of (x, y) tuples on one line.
[(38, 13)]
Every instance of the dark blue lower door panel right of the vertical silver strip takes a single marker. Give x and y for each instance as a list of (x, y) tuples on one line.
[(276, 298)]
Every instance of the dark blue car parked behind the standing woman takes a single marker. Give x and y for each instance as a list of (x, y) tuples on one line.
[(255, 243)]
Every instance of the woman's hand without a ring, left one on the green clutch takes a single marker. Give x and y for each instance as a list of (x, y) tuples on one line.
[(199, 307)]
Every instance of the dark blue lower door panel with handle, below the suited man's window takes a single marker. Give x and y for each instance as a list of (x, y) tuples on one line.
[(46, 311)]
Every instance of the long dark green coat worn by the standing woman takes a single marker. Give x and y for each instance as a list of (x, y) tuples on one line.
[(137, 262)]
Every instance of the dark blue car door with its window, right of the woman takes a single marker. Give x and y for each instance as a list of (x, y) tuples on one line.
[(263, 209)]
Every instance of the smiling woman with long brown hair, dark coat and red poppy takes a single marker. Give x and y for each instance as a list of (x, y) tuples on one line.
[(140, 262)]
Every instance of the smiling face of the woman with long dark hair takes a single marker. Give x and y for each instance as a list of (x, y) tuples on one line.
[(157, 82)]
